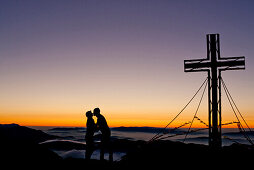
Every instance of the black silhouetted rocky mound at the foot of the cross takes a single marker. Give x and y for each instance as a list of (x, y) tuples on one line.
[(167, 153)]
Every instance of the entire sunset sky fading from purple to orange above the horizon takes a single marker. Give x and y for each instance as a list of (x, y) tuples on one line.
[(59, 58)]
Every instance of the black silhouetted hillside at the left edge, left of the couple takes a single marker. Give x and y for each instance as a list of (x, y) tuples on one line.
[(19, 143)]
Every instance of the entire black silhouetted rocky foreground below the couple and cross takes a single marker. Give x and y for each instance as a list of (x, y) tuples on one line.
[(21, 146)]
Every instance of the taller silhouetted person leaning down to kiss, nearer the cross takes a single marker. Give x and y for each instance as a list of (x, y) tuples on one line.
[(105, 134)]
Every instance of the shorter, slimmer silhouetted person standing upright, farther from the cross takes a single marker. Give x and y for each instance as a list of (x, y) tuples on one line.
[(90, 129)]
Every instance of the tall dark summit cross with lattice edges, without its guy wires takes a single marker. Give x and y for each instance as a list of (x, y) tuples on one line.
[(212, 65)]
